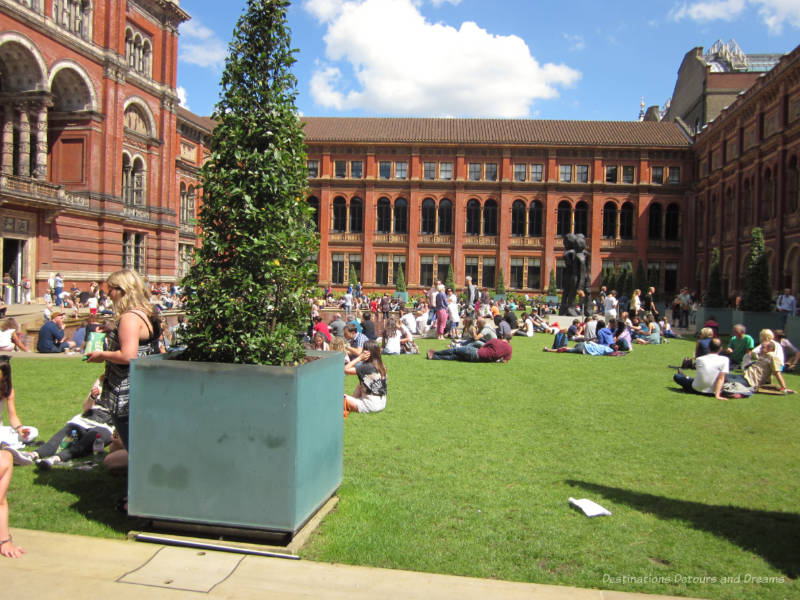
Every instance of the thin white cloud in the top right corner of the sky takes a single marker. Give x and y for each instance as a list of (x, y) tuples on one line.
[(774, 13)]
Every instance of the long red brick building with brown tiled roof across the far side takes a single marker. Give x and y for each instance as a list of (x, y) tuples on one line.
[(484, 195)]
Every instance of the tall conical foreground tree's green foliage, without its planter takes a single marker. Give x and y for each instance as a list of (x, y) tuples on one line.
[(247, 291)]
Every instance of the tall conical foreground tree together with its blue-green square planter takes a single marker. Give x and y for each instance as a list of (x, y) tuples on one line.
[(243, 429)]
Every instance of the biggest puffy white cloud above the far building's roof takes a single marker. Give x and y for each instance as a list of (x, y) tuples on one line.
[(403, 64)]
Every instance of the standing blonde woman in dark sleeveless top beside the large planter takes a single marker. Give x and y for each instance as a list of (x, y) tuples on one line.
[(135, 335)]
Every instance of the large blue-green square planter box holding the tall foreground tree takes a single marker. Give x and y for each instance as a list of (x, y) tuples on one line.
[(245, 446)]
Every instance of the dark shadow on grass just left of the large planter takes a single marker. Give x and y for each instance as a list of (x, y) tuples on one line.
[(97, 494)]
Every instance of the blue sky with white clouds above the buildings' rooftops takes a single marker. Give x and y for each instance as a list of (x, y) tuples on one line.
[(584, 59)]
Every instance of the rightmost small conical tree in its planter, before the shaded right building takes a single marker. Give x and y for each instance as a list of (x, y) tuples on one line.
[(756, 313)]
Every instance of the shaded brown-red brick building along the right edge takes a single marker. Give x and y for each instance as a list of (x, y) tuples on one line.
[(748, 175)]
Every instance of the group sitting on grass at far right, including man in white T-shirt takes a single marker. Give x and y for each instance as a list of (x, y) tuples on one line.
[(714, 364)]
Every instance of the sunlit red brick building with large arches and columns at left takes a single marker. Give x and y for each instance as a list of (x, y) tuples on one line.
[(98, 164)]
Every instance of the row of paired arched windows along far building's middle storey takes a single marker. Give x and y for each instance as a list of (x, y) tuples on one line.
[(392, 217)]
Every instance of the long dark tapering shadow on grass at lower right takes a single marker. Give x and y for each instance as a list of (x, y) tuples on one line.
[(774, 536)]
